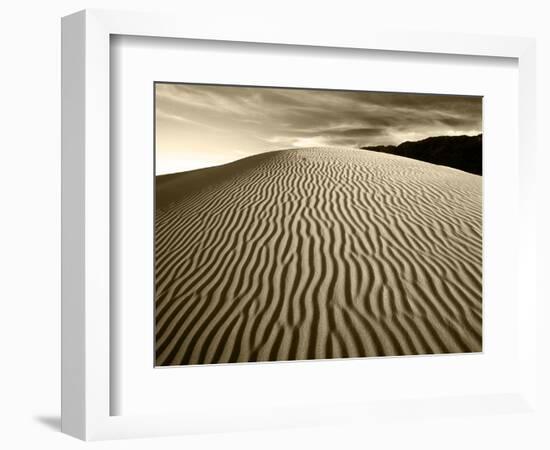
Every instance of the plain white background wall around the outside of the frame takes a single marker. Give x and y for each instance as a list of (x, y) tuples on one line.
[(30, 188)]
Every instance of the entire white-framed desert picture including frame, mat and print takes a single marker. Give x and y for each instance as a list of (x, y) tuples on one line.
[(267, 228)]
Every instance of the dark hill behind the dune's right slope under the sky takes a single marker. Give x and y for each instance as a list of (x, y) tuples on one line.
[(460, 152)]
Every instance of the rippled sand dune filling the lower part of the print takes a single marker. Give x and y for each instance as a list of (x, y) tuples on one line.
[(317, 253)]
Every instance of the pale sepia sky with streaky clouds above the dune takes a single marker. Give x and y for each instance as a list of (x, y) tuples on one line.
[(205, 125)]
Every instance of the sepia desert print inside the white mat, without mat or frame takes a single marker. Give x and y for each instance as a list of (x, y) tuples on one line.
[(309, 224)]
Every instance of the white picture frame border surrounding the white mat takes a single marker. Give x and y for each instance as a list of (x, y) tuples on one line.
[(86, 177)]
